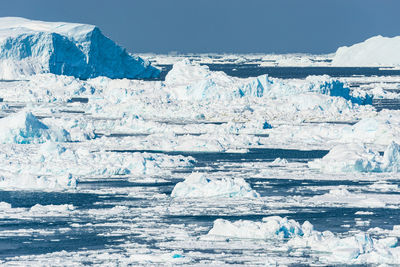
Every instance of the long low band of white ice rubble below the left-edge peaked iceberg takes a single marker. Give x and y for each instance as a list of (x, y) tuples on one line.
[(61, 162)]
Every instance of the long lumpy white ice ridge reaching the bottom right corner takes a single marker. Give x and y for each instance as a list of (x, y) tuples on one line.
[(357, 248)]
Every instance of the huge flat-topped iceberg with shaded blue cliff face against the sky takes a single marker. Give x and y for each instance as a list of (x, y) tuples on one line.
[(30, 47)]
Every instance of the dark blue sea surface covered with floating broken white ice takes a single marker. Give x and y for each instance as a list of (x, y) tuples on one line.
[(112, 172)]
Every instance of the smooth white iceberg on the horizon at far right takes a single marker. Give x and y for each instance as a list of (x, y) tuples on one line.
[(375, 51)]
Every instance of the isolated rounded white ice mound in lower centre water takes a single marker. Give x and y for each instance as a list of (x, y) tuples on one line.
[(197, 185)]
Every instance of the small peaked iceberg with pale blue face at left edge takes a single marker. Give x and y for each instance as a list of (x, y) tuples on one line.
[(24, 128)]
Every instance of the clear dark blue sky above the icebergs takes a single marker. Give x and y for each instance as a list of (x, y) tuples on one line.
[(243, 26)]
